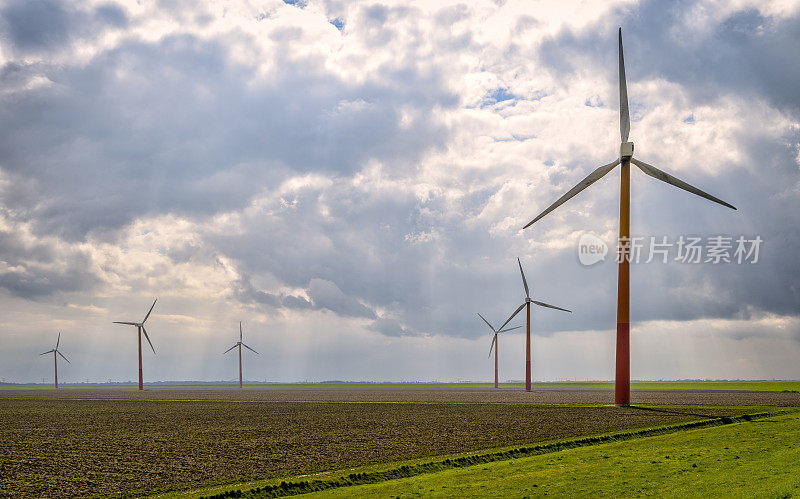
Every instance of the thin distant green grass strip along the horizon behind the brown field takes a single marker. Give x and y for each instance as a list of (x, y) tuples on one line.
[(772, 386)]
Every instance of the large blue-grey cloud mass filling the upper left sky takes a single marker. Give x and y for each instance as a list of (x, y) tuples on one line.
[(176, 127)]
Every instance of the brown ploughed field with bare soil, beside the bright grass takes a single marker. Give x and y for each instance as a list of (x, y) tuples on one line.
[(69, 447)]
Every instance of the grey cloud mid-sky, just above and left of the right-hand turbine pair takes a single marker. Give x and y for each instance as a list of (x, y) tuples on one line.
[(365, 246)]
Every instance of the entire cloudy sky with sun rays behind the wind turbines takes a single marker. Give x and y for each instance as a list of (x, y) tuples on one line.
[(350, 180)]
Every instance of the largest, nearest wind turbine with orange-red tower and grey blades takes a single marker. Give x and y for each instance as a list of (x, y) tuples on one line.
[(622, 390)]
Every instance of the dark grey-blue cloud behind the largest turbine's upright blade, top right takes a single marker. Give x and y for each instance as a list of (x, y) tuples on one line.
[(747, 53)]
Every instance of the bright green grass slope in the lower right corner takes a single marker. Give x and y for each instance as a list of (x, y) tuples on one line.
[(760, 458)]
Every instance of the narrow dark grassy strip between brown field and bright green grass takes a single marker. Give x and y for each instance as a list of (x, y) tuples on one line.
[(306, 486)]
